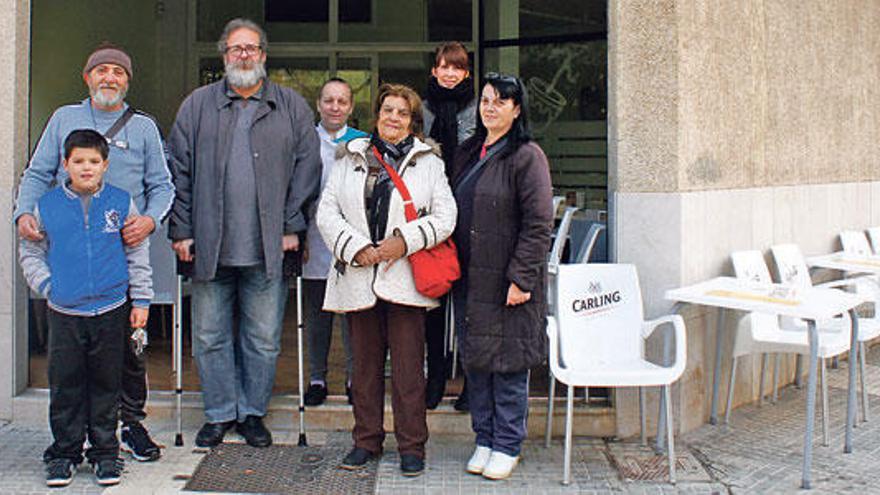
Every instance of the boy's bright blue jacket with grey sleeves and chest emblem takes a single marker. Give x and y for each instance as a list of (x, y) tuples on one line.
[(82, 265)]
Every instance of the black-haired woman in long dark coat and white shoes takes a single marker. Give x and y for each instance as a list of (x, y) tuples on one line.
[(502, 186)]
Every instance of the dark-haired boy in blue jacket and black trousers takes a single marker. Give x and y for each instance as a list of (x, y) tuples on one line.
[(88, 276)]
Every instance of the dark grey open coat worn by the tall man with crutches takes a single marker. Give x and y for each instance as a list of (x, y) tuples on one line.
[(287, 165)]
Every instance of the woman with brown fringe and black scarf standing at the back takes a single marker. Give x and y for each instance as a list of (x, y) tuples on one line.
[(450, 118)]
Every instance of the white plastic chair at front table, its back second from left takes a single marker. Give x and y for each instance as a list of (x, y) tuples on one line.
[(792, 269)]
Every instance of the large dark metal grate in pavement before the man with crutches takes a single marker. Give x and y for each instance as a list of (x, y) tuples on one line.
[(239, 468)]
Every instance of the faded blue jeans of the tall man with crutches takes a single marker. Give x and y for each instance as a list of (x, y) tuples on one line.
[(237, 368)]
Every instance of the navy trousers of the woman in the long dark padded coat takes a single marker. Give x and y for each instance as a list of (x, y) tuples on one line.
[(499, 406)]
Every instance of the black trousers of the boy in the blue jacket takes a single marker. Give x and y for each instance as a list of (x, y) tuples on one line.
[(85, 368)]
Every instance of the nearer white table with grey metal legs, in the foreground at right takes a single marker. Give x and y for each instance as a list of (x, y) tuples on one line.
[(810, 304)]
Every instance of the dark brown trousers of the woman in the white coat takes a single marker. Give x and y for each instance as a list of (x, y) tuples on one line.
[(373, 331)]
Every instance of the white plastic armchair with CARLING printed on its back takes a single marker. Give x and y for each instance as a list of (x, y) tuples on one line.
[(597, 338)]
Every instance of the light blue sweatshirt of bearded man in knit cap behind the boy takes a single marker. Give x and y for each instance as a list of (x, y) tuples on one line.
[(137, 159)]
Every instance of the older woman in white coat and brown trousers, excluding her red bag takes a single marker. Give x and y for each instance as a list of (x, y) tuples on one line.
[(361, 218)]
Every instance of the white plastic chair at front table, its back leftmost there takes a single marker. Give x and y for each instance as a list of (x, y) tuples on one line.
[(761, 333)]
